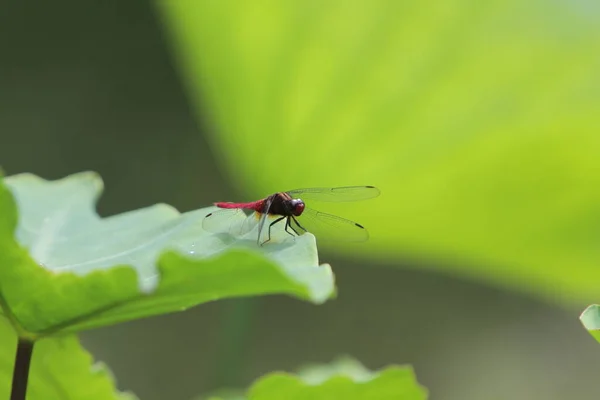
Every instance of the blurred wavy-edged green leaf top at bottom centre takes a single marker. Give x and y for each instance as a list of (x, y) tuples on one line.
[(345, 379)]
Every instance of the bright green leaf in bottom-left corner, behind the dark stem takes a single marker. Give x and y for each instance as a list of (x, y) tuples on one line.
[(60, 370)]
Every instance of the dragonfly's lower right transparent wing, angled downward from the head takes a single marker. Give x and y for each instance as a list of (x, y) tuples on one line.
[(329, 227)]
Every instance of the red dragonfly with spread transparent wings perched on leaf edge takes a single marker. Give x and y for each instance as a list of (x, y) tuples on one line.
[(240, 218)]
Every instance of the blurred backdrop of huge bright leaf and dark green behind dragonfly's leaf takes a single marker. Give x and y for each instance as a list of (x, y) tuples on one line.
[(479, 122)]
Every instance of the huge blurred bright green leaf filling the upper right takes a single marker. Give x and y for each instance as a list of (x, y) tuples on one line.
[(477, 120)]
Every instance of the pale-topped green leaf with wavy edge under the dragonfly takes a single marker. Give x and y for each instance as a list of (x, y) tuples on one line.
[(72, 270)]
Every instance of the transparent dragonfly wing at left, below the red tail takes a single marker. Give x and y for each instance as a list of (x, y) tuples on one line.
[(233, 221)]
